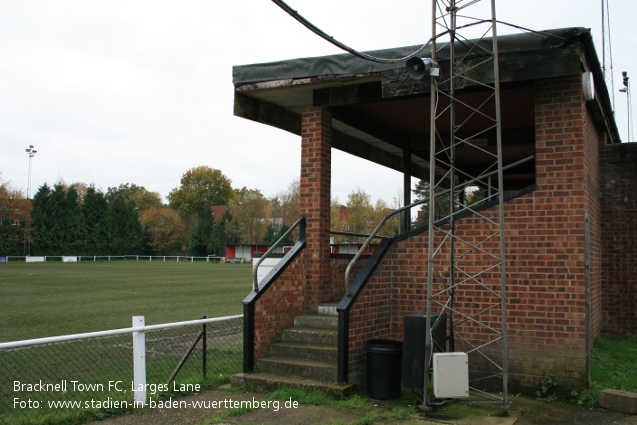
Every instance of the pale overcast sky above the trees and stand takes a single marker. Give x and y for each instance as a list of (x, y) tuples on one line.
[(140, 91)]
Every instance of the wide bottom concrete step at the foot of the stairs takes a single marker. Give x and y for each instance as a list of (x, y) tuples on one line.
[(270, 382)]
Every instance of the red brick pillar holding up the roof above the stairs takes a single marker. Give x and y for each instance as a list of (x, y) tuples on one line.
[(316, 169)]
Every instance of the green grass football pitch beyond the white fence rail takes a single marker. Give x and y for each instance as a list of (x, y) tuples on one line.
[(53, 298)]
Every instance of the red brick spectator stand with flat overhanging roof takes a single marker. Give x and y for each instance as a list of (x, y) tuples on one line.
[(570, 214)]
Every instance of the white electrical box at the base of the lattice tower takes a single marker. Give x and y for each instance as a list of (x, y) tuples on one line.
[(451, 375)]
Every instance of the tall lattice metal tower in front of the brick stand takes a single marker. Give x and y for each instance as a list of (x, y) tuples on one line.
[(467, 280)]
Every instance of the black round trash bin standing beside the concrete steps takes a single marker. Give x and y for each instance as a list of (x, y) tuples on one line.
[(384, 368)]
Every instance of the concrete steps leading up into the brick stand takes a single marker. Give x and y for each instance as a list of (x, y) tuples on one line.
[(306, 355)]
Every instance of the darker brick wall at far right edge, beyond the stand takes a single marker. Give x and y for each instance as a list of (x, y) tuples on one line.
[(618, 175)]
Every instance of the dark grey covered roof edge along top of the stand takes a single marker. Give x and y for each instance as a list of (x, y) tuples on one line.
[(345, 64)]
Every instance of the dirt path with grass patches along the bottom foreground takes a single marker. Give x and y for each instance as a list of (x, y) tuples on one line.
[(200, 409)]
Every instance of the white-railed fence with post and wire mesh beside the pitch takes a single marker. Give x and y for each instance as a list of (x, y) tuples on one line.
[(97, 366)]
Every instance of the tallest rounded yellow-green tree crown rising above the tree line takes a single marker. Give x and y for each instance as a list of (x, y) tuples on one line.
[(200, 188)]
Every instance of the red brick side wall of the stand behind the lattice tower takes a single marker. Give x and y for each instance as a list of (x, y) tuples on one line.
[(546, 274)]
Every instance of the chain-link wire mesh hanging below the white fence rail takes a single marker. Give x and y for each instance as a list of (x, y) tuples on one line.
[(86, 379)]
